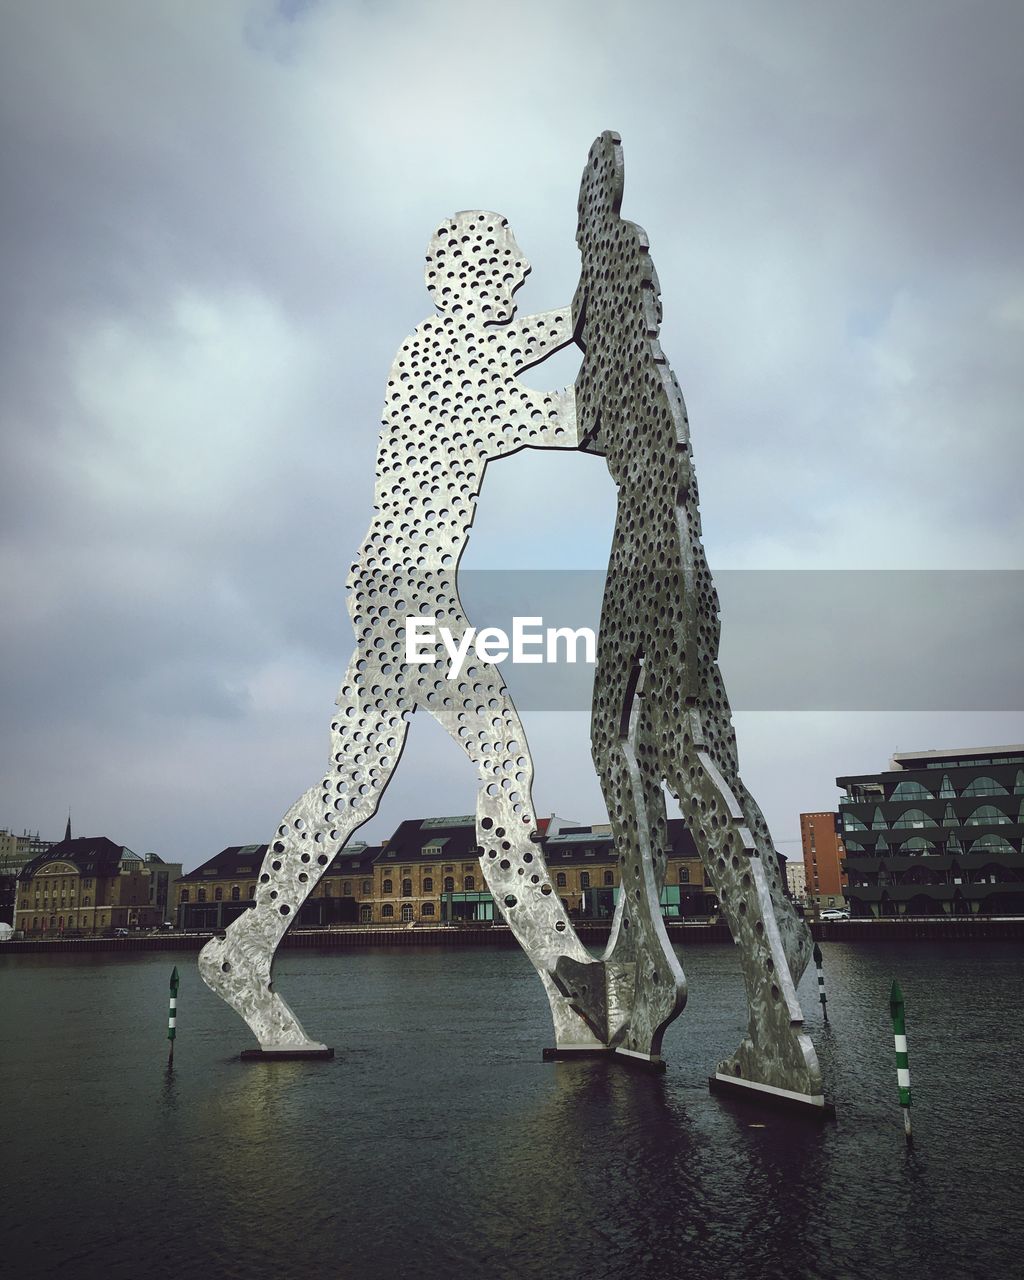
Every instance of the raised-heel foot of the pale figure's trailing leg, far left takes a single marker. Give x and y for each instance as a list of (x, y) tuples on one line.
[(240, 973)]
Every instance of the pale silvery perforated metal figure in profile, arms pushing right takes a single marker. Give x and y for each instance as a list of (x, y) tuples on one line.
[(454, 404)]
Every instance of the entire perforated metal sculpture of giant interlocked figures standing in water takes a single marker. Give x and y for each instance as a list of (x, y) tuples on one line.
[(661, 717)]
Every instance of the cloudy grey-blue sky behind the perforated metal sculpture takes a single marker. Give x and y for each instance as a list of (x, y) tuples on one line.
[(214, 220)]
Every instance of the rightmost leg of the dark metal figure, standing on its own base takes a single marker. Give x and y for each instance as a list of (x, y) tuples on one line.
[(776, 1055)]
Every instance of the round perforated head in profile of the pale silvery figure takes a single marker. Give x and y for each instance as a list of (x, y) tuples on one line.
[(474, 267)]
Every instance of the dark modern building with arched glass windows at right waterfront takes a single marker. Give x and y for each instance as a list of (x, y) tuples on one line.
[(936, 834)]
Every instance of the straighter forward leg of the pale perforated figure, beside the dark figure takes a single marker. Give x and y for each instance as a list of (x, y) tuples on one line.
[(488, 729)]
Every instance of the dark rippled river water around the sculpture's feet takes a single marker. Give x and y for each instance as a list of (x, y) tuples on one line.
[(440, 1144)]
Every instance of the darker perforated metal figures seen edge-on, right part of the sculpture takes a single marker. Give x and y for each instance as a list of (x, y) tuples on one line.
[(661, 716)]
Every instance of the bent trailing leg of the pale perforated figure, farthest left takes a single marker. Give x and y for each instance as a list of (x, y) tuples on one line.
[(365, 748)]
